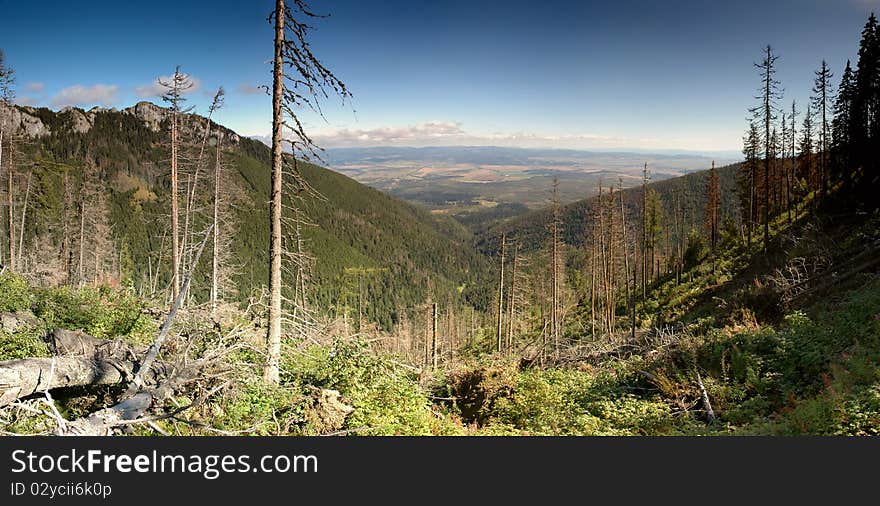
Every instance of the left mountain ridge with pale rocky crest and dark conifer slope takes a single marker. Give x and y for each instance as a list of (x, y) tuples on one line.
[(413, 254)]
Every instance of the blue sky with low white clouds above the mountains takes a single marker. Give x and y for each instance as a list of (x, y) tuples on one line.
[(578, 74)]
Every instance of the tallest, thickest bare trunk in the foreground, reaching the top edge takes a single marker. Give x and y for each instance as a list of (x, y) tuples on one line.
[(271, 373)]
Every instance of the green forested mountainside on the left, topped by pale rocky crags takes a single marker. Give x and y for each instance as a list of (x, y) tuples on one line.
[(376, 253)]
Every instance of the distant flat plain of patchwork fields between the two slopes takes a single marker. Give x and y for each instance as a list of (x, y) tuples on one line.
[(480, 185)]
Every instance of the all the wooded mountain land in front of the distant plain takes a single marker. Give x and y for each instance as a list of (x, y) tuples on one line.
[(152, 256)]
